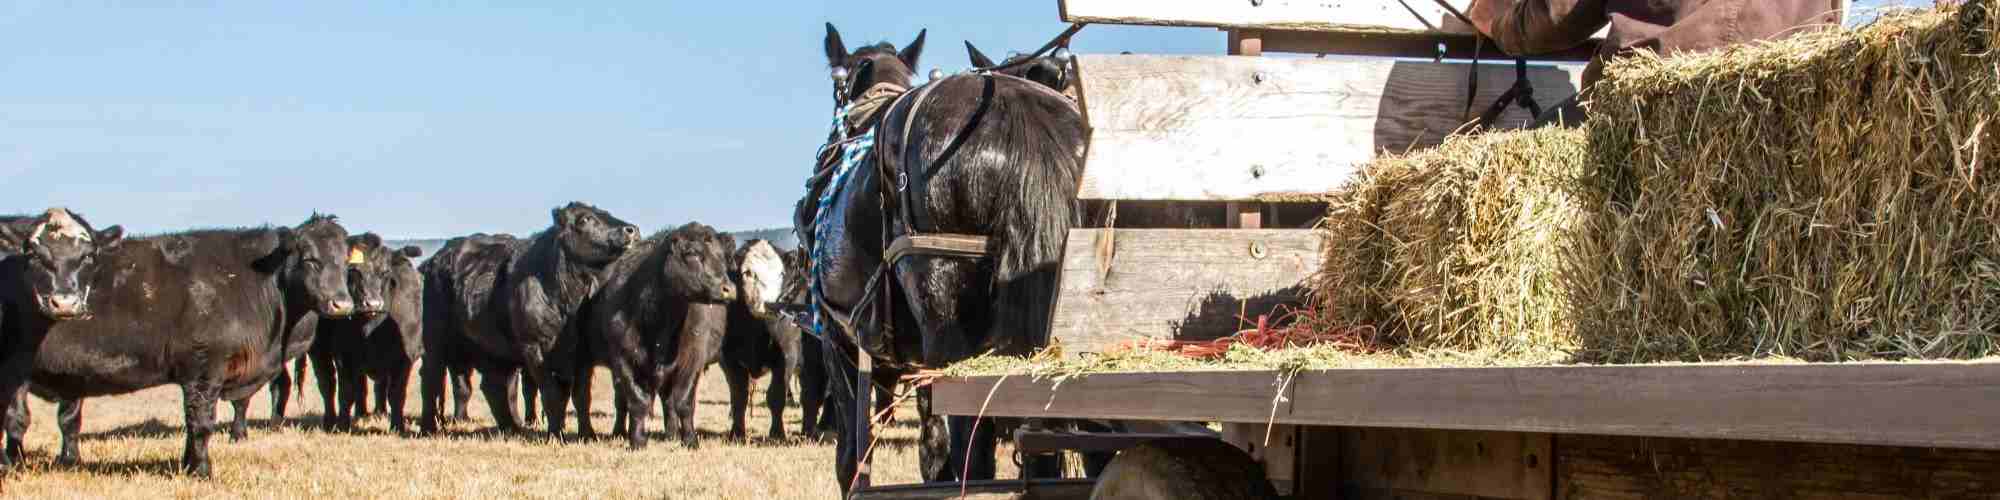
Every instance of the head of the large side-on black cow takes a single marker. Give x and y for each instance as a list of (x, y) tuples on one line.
[(313, 261)]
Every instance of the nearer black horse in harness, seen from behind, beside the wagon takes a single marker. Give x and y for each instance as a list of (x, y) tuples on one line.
[(977, 155)]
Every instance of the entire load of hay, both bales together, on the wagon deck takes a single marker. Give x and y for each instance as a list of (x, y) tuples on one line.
[(1819, 197)]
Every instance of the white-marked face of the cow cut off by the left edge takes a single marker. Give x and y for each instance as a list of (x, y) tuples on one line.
[(61, 255)]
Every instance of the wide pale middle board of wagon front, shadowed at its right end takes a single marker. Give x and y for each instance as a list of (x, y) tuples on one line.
[(1269, 129)]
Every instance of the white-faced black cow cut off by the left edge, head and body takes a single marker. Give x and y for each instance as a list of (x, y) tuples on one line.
[(45, 277)]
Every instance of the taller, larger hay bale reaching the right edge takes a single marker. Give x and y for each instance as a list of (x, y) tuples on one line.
[(1827, 197)]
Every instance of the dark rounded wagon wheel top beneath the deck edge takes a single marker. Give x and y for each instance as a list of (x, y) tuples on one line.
[(1185, 471)]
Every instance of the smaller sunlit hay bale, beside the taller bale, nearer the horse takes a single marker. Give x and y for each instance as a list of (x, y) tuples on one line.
[(1453, 249)]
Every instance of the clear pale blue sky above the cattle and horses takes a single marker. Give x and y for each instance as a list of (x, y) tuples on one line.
[(453, 117)]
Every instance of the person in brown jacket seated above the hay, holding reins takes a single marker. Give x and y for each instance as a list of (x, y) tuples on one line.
[(1667, 27)]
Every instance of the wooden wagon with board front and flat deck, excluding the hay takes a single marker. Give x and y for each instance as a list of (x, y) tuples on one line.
[(1211, 175)]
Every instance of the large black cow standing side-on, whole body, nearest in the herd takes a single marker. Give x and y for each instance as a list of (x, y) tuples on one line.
[(213, 311)]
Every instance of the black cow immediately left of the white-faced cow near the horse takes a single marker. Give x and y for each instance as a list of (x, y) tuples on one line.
[(659, 323)]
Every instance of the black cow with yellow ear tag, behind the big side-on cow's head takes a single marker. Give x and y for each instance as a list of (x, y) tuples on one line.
[(381, 343)]
